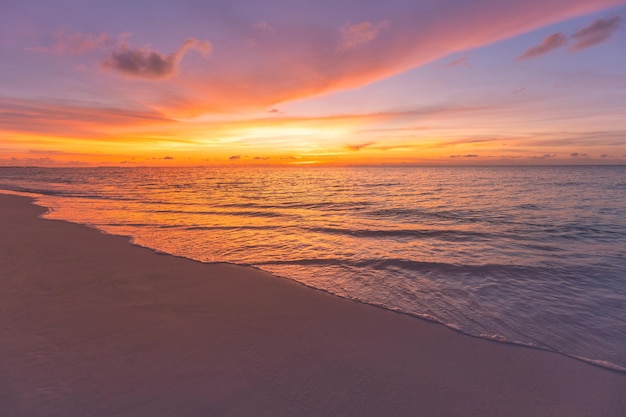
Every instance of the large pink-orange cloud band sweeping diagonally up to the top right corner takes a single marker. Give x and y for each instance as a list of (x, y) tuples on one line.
[(306, 59)]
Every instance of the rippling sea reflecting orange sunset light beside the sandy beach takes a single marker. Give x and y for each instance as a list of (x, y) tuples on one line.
[(529, 255)]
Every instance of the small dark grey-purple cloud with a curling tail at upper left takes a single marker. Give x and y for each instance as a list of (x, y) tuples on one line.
[(150, 64)]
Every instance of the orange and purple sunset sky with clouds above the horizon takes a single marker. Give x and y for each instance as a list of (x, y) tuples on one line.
[(266, 82)]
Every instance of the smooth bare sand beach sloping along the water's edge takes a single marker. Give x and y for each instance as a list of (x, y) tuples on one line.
[(91, 325)]
